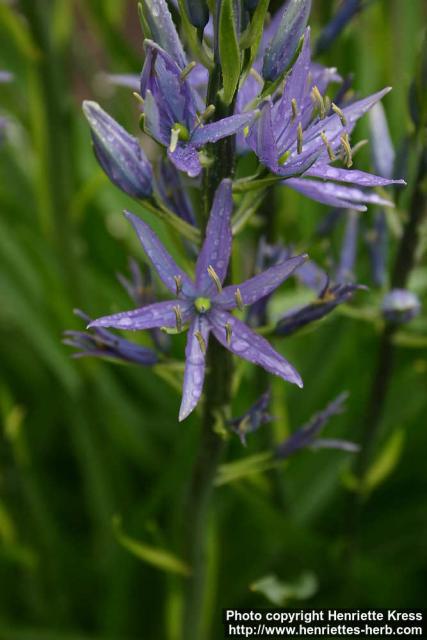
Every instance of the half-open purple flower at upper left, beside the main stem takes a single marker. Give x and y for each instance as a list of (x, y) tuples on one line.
[(174, 112)]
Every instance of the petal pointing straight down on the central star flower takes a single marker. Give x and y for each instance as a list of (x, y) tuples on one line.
[(194, 366)]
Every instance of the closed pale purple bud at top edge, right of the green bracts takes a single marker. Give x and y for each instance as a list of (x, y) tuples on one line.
[(285, 41)]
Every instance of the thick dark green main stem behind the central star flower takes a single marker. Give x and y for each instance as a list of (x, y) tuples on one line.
[(216, 407)]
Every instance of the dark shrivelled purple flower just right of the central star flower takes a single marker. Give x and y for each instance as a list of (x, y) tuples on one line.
[(329, 298)]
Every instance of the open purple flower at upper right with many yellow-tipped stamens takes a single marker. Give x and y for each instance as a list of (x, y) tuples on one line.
[(300, 134)]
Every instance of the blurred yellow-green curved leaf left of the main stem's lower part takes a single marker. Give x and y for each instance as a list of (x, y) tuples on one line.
[(159, 558)]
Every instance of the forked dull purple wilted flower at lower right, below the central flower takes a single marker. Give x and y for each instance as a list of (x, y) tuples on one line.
[(307, 435)]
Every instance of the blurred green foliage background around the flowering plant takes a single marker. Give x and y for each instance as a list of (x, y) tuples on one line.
[(84, 441)]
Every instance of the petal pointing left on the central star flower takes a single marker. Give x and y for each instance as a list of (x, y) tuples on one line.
[(159, 314)]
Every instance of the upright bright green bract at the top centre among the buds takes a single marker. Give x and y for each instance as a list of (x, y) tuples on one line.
[(229, 51)]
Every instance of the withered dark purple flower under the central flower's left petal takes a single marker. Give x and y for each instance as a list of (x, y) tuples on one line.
[(100, 343)]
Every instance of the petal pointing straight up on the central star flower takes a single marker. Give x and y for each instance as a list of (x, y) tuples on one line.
[(216, 248)]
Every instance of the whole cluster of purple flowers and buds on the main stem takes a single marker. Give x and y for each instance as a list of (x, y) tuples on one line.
[(280, 113)]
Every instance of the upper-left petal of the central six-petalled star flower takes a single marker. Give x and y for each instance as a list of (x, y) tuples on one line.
[(161, 259)]
